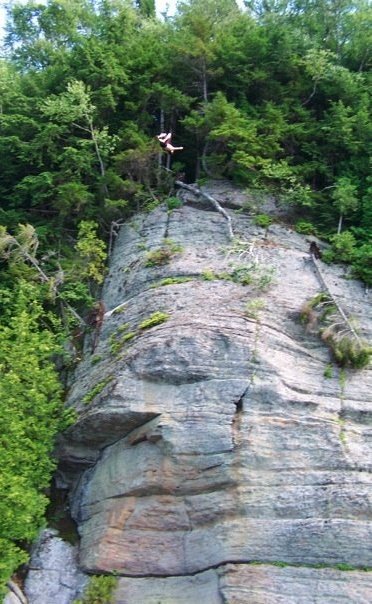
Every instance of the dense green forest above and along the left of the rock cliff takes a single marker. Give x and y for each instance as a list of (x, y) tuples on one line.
[(275, 98)]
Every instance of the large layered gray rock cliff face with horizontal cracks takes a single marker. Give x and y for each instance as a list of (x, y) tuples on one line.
[(213, 439)]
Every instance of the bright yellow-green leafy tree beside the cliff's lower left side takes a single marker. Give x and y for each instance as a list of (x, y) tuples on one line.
[(30, 415)]
